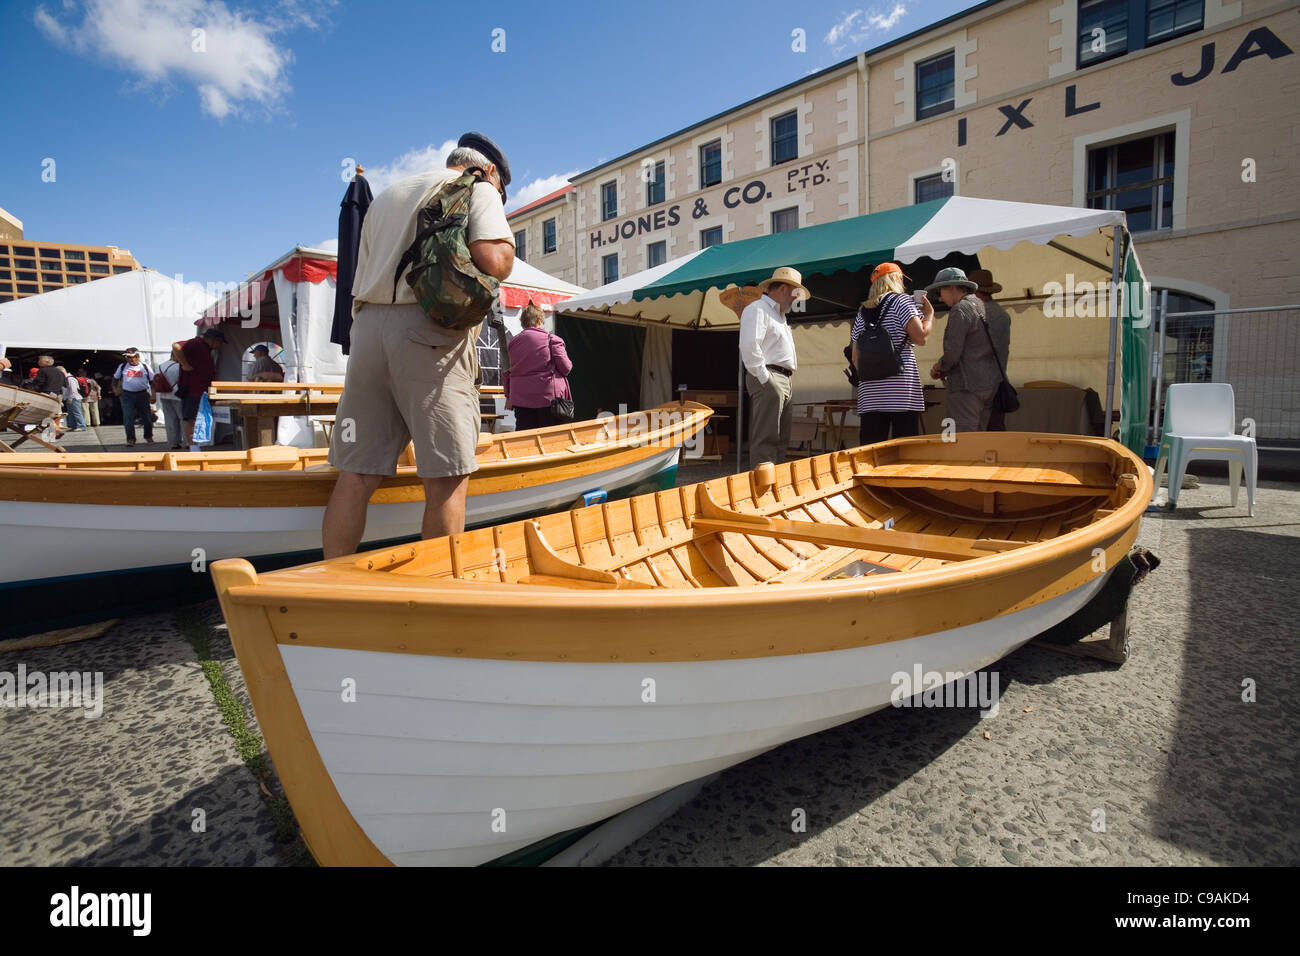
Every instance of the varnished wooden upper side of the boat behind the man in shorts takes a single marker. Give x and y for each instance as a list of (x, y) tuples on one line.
[(213, 479)]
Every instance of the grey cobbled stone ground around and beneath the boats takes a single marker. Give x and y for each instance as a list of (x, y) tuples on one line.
[(1184, 771)]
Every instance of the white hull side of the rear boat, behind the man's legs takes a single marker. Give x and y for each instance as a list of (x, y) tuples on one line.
[(62, 540)]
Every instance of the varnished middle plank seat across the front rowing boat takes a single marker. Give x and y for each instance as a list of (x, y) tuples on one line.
[(710, 517)]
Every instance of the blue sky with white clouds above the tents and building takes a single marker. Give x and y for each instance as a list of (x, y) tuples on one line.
[(210, 155)]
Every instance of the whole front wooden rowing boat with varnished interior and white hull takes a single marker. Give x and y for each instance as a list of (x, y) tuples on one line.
[(462, 699)]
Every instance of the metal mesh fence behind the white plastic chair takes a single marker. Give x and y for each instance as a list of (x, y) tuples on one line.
[(1255, 351)]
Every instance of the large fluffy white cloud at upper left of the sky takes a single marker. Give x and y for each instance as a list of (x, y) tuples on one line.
[(236, 60)]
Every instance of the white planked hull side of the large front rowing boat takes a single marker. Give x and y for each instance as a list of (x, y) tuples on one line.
[(452, 762)]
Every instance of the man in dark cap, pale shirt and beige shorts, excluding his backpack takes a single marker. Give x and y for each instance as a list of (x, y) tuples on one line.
[(408, 378)]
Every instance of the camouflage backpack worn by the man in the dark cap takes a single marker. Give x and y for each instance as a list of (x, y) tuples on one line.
[(447, 283)]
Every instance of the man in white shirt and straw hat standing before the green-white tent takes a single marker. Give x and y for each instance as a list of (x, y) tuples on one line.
[(768, 351)]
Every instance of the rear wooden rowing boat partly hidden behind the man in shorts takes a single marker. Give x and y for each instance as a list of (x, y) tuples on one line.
[(146, 522)]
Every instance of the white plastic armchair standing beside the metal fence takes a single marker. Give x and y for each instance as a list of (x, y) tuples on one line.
[(1201, 425)]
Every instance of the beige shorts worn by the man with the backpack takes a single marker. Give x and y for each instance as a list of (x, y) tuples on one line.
[(408, 380)]
